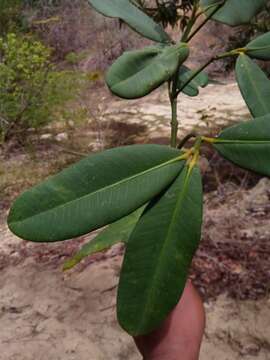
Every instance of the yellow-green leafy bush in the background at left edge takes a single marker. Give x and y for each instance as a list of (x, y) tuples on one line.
[(30, 88)]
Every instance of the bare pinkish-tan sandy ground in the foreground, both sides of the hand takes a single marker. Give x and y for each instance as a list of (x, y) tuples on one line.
[(46, 314)]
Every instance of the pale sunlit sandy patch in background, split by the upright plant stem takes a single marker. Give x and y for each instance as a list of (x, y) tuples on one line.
[(216, 106)]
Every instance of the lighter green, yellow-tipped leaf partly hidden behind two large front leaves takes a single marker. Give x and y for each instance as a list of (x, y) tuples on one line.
[(116, 232)]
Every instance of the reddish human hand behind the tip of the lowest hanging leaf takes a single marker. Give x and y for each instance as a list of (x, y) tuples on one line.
[(180, 335)]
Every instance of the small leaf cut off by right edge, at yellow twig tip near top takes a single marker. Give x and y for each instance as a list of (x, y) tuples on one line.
[(259, 48)]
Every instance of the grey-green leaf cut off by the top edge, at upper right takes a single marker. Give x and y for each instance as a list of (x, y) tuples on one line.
[(234, 12)]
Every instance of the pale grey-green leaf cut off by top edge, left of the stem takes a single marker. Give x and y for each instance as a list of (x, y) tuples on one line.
[(131, 15)]
